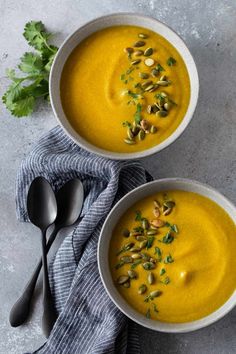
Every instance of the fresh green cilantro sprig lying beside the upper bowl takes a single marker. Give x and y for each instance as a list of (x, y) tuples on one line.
[(22, 94)]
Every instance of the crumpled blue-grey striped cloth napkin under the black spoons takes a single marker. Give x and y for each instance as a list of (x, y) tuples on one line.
[(88, 322)]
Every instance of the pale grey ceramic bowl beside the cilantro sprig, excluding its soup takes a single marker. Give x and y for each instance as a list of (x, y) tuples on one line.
[(112, 20)]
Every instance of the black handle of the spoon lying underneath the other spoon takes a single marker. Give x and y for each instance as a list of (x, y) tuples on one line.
[(21, 308)]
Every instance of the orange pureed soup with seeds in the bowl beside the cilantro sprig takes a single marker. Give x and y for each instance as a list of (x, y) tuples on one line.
[(101, 89)]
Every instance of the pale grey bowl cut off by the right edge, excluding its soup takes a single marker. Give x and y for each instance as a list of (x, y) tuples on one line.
[(104, 241)]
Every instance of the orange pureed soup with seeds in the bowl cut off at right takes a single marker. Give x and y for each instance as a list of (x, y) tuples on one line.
[(193, 268)]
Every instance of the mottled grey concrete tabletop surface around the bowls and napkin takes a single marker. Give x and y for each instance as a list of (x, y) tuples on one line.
[(206, 151)]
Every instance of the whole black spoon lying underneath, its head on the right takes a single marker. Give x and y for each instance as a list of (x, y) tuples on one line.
[(69, 204)]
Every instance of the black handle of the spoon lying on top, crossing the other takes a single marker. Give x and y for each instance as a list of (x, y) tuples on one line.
[(49, 311)]
